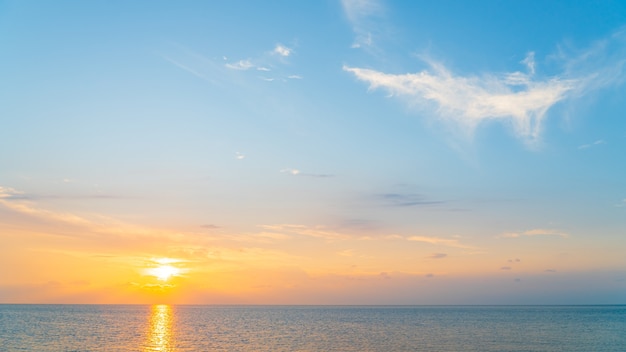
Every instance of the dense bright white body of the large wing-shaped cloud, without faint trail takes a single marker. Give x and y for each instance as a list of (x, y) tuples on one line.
[(470, 100)]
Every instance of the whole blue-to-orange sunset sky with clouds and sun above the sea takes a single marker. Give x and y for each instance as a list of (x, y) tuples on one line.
[(313, 152)]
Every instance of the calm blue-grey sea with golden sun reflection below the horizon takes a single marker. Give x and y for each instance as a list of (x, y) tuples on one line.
[(312, 328)]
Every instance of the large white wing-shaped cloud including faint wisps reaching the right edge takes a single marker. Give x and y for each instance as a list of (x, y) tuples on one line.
[(519, 98)]
